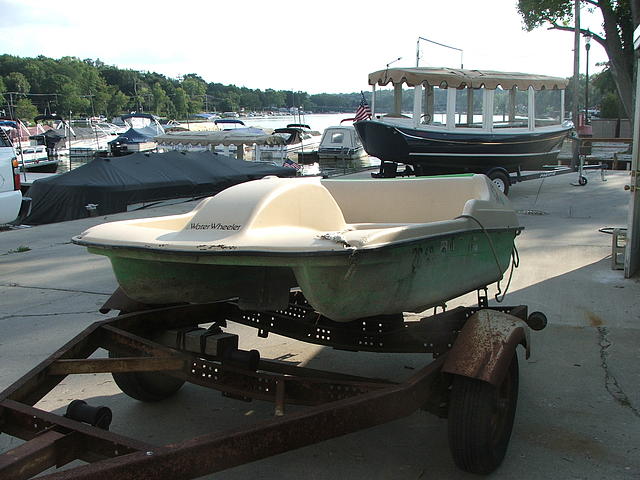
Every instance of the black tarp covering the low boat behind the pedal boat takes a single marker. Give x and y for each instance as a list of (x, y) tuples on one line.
[(114, 183)]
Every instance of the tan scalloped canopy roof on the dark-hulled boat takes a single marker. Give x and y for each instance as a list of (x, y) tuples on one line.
[(457, 78)]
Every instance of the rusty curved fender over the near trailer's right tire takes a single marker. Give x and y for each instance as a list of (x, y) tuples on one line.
[(485, 346)]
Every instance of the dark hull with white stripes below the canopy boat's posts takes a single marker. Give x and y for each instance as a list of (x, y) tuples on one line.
[(457, 152)]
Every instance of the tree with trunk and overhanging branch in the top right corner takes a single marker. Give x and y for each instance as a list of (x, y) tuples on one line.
[(619, 18)]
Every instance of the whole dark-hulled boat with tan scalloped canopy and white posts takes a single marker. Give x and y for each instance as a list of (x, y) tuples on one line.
[(467, 120)]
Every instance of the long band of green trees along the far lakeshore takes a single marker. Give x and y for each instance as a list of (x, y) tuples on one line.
[(89, 87)]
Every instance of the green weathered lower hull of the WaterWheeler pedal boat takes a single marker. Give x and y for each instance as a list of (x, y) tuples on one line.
[(343, 286)]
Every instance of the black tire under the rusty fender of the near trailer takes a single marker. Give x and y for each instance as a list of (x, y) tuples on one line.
[(481, 419)]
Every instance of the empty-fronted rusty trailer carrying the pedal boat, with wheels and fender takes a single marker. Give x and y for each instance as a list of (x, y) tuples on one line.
[(153, 351)]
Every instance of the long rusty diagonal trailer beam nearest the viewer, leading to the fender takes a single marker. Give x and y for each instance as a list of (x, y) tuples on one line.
[(215, 452)]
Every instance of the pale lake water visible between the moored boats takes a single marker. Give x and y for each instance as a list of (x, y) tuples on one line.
[(318, 122)]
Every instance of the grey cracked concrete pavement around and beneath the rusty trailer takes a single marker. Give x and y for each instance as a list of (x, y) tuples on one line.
[(579, 396)]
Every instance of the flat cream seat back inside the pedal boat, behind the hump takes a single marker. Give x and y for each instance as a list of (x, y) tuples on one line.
[(414, 200)]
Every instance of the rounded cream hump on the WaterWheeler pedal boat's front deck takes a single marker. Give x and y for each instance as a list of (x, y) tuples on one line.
[(266, 203)]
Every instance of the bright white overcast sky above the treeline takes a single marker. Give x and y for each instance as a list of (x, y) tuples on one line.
[(328, 46)]
